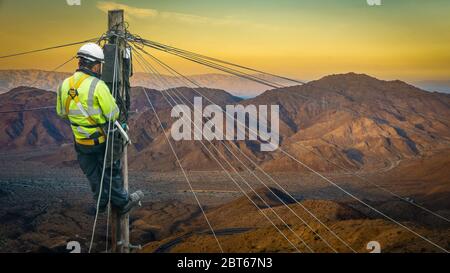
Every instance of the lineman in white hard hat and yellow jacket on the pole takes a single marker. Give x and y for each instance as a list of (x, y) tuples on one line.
[(87, 103)]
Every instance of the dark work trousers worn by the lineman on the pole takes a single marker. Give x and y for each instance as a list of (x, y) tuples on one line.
[(91, 160)]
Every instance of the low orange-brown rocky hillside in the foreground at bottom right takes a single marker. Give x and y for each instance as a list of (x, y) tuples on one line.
[(241, 228)]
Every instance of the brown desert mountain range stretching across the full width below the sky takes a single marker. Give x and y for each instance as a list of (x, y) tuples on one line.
[(352, 119)]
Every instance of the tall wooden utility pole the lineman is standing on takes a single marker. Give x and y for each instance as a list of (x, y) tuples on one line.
[(120, 240)]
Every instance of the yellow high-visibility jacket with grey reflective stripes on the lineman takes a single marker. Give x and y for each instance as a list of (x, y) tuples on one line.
[(91, 109)]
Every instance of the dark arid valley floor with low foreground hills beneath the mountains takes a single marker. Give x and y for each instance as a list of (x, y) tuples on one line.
[(44, 207)]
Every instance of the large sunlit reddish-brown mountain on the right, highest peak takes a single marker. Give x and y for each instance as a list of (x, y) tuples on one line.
[(359, 119)]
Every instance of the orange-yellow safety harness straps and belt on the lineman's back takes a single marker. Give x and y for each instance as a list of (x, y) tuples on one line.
[(99, 136)]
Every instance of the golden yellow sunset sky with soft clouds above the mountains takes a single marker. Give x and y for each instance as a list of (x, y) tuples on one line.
[(305, 39)]
